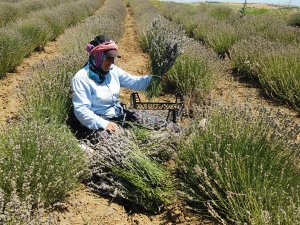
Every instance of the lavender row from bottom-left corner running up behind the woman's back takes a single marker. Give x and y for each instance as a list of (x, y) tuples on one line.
[(40, 160)]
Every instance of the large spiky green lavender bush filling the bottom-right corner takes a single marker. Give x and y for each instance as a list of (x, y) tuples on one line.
[(238, 169)]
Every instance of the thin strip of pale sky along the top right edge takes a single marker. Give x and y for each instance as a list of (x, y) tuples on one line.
[(279, 2)]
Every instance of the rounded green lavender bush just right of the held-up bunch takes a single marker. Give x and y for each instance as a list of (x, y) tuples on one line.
[(195, 73)]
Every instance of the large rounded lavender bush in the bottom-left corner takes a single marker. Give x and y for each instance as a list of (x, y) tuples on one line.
[(39, 163)]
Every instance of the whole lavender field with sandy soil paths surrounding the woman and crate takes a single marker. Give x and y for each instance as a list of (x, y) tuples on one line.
[(236, 157)]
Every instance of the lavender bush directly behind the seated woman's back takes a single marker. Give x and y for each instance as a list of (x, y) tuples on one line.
[(48, 94)]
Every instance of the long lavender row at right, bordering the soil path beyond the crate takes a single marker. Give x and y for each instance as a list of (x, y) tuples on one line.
[(275, 68)]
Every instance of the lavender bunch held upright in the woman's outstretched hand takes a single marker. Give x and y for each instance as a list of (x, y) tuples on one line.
[(163, 44)]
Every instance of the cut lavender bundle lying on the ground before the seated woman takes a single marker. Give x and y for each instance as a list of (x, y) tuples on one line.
[(119, 169)]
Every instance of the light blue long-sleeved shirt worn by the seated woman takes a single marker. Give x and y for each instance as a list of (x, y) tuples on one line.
[(91, 100)]
